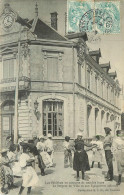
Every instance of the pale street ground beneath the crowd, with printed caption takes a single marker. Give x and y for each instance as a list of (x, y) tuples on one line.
[(62, 181)]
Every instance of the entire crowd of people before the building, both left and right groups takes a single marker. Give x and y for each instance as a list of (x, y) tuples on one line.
[(19, 160)]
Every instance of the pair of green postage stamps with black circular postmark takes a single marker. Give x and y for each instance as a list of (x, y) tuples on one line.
[(88, 16)]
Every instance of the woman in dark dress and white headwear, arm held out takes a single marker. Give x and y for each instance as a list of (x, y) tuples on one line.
[(81, 161)]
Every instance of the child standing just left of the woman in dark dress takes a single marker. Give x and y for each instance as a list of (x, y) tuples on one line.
[(67, 152)]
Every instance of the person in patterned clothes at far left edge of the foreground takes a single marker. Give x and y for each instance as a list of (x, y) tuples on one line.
[(6, 172)]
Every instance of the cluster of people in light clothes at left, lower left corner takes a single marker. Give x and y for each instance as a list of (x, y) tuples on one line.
[(19, 161)]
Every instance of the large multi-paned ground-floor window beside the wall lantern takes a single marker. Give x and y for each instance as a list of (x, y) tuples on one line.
[(53, 117)]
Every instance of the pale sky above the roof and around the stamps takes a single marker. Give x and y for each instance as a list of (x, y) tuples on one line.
[(112, 45)]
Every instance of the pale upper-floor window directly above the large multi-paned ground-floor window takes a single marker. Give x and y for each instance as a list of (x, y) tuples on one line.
[(52, 68)]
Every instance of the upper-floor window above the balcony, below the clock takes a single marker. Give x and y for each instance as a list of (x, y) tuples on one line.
[(8, 68)]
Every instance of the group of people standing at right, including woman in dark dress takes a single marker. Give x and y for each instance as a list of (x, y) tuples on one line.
[(113, 148)]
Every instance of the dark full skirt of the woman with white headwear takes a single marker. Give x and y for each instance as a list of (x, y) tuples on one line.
[(80, 161)]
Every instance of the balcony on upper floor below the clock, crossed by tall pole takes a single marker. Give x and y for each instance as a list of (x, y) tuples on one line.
[(9, 84)]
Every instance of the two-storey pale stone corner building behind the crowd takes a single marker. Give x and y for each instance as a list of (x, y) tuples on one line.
[(76, 94)]
